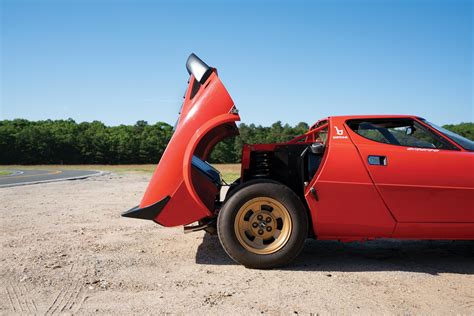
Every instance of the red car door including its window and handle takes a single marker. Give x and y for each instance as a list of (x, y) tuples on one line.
[(422, 177)]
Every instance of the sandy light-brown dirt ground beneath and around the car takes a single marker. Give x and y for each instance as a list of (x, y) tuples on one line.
[(65, 249)]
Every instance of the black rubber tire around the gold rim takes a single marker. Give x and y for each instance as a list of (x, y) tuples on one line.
[(263, 189)]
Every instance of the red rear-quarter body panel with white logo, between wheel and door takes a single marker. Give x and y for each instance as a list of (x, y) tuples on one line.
[(349, 205)]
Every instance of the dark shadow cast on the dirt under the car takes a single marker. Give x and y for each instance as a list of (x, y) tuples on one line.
[(430, 256)]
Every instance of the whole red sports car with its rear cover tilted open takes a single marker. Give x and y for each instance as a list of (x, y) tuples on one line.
[(348, 178)]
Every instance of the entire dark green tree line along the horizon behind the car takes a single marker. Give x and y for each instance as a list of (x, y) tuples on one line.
[(67, 142)]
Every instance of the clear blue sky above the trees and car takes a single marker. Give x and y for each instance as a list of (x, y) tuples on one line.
[(123, 61)]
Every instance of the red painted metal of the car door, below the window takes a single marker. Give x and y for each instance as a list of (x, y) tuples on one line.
[(423, 185)]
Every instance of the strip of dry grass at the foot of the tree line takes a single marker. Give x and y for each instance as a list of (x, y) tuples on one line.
[(230, 172)]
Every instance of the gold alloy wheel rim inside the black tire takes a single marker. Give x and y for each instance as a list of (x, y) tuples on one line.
[(263, 225)]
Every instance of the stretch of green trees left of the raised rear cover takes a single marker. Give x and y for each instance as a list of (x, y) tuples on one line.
[(67, 142)]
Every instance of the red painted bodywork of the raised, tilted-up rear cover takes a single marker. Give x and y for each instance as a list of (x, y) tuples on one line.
[(211, 108)]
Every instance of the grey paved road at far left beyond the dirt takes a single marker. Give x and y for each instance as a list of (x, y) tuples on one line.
[(23, 177)]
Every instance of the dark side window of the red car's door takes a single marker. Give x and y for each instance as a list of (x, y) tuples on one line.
[(401, 132)]
